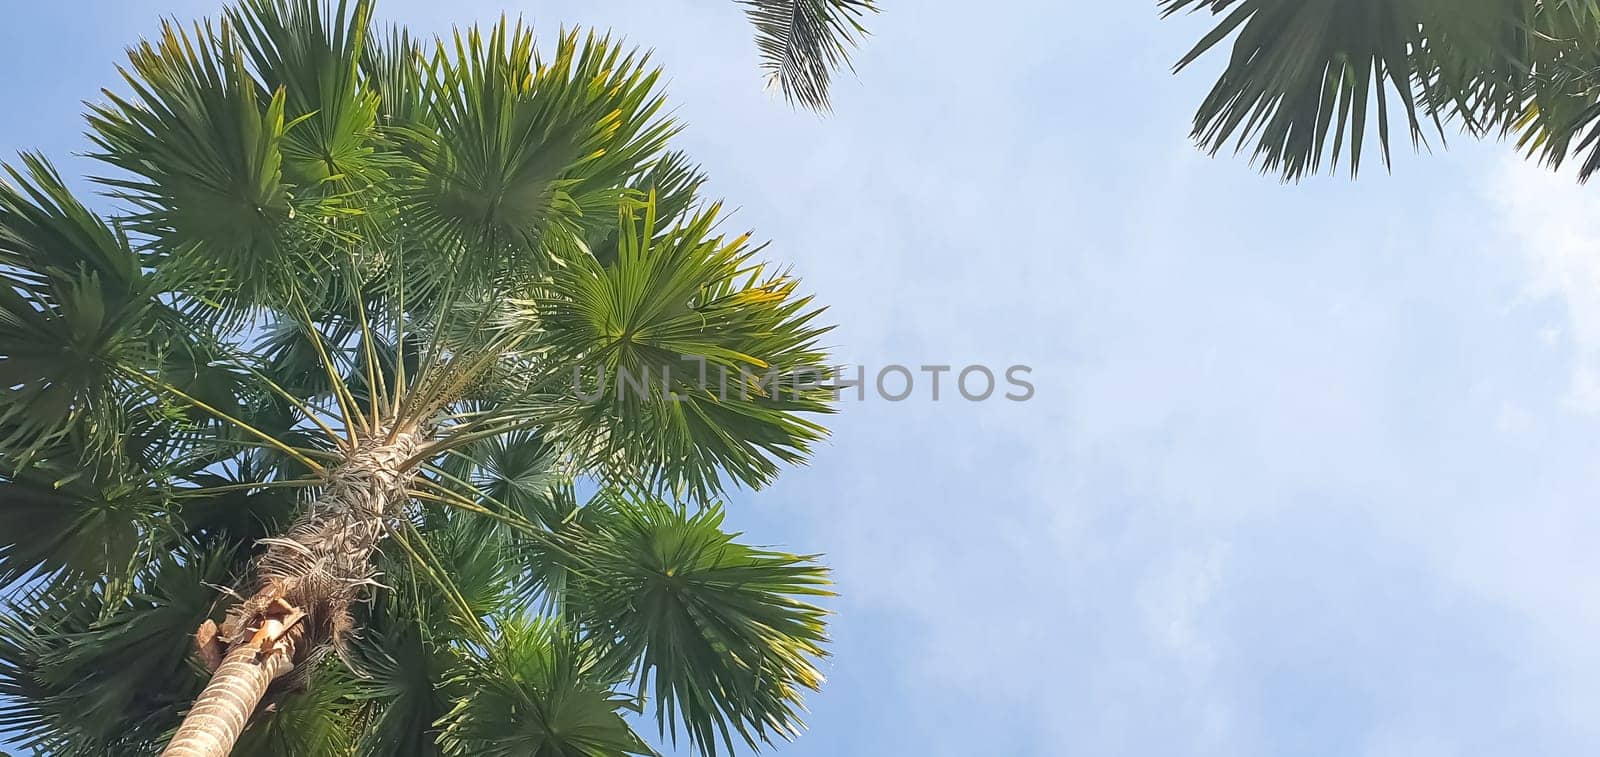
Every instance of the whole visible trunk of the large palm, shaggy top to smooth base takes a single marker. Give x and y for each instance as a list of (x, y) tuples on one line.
[(298, 604)]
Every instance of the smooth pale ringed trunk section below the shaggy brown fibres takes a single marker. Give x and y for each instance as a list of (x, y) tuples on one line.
[(223, 710)]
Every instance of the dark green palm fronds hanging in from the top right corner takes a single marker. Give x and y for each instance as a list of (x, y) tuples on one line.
[(1308, 81)]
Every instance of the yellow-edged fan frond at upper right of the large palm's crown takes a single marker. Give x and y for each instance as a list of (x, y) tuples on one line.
[(529, 153)]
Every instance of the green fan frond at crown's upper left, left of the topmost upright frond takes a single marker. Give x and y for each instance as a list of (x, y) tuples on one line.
[(204, 158)]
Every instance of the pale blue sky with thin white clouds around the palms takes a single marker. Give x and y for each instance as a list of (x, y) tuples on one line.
[(1310, 470)]
